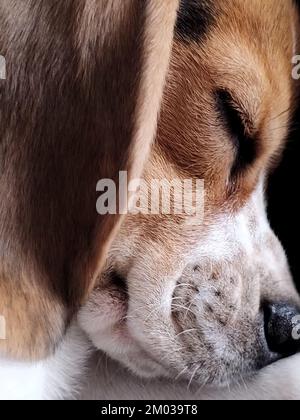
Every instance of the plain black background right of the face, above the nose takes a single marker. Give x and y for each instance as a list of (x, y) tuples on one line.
[(284, 195)]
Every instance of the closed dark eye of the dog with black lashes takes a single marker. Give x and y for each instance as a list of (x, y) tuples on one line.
[(239, 128)]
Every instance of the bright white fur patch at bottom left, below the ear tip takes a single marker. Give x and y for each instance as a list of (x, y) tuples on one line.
[(59, 377)]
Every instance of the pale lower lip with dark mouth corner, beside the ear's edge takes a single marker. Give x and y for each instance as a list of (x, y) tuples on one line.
[(106, 320)]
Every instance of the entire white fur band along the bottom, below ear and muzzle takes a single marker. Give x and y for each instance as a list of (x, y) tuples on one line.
[(65, 376)]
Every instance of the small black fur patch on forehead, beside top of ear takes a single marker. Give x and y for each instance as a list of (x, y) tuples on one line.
[(194, 19)]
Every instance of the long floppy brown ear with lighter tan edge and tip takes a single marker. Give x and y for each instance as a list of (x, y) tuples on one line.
[(84, 82)]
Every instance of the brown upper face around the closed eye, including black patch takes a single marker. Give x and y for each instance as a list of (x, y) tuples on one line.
[(228, 46)]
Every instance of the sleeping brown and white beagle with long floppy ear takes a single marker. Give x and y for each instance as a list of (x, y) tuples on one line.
[(161, 89)]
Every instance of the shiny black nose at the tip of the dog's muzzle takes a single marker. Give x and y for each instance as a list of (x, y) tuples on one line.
[(282, 325)]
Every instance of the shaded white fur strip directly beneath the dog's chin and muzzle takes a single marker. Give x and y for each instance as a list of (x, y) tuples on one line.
[(109, 381)]
